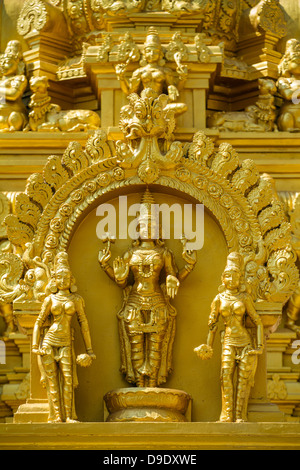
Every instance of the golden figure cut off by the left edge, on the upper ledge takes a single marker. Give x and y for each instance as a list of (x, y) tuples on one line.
[(13, 84)]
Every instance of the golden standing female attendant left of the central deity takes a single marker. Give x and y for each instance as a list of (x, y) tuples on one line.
[(56, 346)]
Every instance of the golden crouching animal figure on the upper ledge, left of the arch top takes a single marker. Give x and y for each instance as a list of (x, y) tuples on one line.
[(46, 116)]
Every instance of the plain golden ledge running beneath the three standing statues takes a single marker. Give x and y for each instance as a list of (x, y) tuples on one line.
[(154, 436)]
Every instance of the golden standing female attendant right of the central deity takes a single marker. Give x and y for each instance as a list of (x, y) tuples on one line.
[(233, 303)]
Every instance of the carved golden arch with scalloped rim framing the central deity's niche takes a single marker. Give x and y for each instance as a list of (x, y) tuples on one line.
[(244, 203)]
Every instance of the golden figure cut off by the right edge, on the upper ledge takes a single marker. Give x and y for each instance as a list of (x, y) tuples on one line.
[(288, 86)]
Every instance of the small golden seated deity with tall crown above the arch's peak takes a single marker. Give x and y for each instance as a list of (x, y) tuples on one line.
[(154, 74)]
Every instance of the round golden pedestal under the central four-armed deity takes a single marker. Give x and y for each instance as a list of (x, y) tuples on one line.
[(147, 405)]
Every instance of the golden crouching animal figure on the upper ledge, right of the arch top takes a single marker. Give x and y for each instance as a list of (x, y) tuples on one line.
[(259, 117)]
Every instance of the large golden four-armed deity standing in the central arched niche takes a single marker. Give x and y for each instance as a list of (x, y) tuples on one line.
[(147, 319)]
